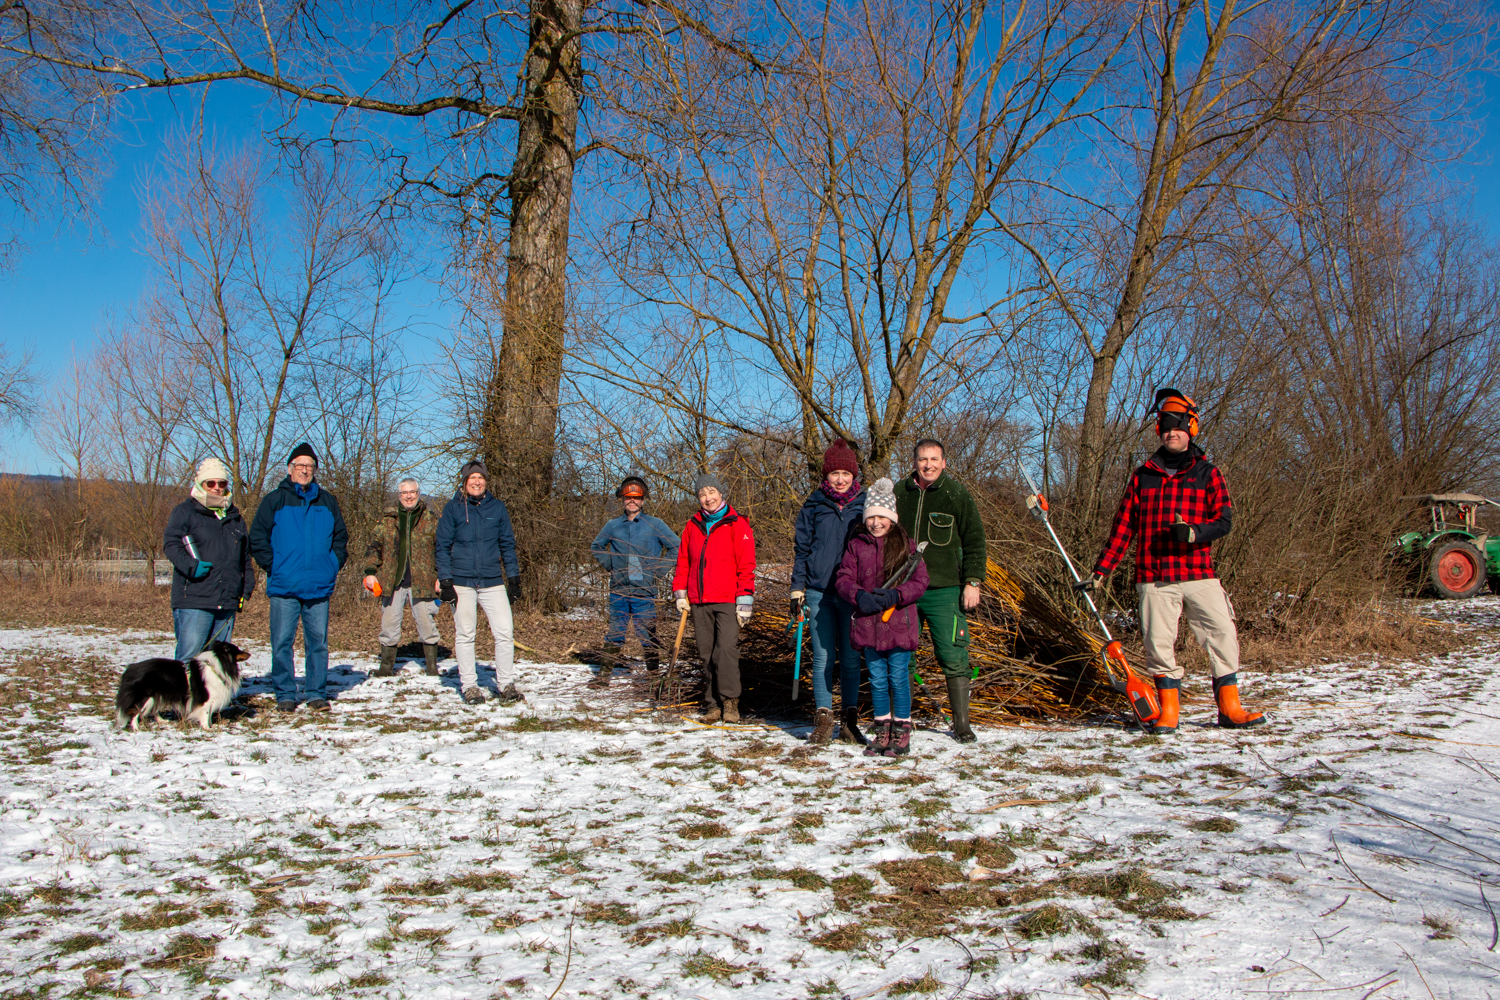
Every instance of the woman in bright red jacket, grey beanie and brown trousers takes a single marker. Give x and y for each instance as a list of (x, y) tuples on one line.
[(716, 579)]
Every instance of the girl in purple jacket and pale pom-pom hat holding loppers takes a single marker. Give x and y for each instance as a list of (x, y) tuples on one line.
[(874, 557)]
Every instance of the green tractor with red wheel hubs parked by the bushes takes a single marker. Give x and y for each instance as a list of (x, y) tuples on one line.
[(1454, 552)]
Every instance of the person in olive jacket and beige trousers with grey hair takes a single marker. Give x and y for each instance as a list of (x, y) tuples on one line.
[(404, 548)]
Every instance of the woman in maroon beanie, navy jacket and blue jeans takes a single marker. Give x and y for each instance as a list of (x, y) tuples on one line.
[(823, 528)]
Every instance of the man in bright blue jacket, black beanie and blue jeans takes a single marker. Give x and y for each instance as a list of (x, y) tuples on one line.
[(301, 542)]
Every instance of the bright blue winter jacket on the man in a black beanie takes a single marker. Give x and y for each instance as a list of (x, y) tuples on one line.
[(301, 540)]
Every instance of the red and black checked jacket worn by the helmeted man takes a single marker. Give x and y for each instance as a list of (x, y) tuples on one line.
[(1153, 501)]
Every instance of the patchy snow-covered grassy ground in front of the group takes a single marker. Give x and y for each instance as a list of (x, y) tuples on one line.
[(580, 845)]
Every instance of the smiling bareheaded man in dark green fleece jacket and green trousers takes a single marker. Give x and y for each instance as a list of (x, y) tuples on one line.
[(937, 509)]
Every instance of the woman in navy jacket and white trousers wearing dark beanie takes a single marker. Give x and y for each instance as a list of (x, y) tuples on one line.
[(478, 569)]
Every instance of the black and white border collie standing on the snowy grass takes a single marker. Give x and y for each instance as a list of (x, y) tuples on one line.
[(194, 689)]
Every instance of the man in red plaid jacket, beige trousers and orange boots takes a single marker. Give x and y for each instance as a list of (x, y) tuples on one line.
[(1175, 507)]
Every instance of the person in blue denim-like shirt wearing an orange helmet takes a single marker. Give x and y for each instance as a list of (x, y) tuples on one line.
[(637, 549)]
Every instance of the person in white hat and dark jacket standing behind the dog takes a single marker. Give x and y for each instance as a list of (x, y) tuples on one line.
[(209, 548)]
